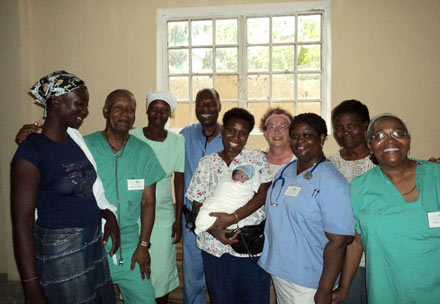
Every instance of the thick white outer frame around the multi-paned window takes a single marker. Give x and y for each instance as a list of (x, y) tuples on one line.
[(250, 10)]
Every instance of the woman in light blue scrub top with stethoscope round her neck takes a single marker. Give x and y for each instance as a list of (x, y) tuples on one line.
[(309, 219)]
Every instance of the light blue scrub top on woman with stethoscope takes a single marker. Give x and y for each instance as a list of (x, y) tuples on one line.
[(295, 227)]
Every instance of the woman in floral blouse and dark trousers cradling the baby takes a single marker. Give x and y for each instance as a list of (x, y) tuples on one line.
[(231, 277)]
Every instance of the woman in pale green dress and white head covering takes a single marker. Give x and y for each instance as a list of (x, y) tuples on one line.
[(170, 150)]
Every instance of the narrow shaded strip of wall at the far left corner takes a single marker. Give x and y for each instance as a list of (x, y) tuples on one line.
[(14, 63)]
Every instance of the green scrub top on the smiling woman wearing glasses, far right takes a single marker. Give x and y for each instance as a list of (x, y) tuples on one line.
[(402, 251)]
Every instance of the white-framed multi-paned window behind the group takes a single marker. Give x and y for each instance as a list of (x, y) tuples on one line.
[(255, 56)]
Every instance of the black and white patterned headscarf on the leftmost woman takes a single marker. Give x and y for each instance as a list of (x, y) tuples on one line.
[(55, 84)]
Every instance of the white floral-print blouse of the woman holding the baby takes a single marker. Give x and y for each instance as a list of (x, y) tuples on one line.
[(210, 170)]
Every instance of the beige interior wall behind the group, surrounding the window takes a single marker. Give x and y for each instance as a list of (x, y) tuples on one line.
[(384, 53)]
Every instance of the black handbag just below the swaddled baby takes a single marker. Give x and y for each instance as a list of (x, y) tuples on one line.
[(250, 239)]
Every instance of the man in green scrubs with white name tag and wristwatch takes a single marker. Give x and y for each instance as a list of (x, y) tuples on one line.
[(129, 171)]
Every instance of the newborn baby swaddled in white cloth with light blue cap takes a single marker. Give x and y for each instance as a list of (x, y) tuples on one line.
[(232, 192)]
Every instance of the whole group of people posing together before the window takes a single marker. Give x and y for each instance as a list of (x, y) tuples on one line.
[(362, 224)]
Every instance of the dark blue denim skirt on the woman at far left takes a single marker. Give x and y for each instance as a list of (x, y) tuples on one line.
[(72, 265)]
